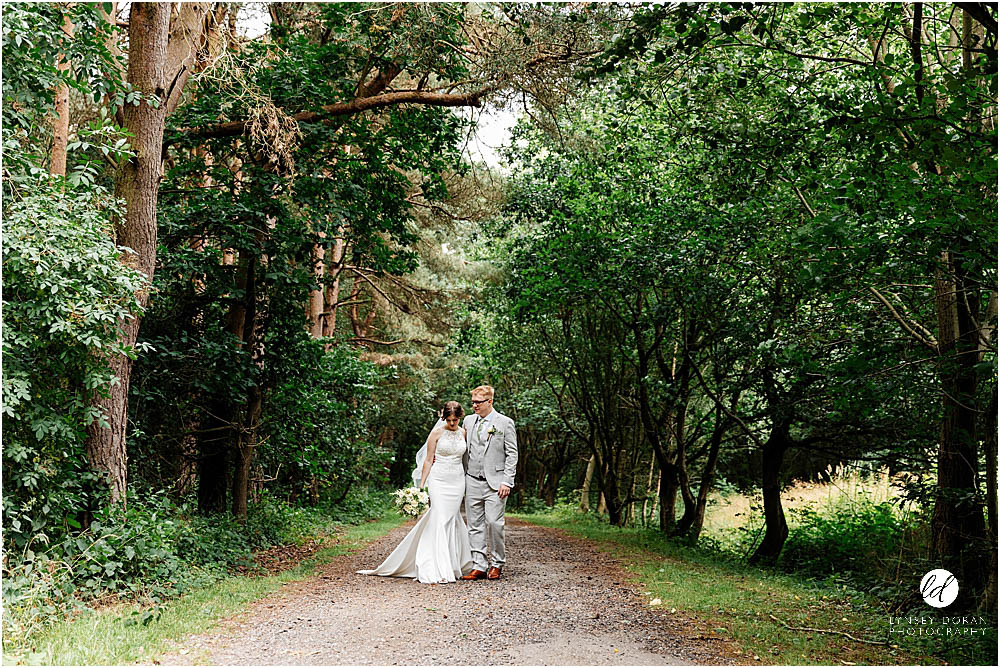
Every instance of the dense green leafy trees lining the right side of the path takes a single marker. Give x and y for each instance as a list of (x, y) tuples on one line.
[(801, 182)]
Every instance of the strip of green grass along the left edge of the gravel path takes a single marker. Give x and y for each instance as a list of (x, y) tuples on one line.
[(109, 637)]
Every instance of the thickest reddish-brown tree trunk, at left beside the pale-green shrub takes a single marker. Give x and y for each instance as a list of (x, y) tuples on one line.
[(137, 181)]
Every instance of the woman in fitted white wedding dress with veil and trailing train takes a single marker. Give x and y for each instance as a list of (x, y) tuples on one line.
[(437, 549)]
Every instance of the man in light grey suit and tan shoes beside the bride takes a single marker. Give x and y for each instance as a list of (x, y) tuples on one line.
[(490, 464)]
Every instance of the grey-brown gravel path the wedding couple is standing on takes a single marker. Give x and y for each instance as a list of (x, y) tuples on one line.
[(561, 602)]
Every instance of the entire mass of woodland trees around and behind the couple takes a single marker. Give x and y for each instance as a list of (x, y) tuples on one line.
[(735, 240)]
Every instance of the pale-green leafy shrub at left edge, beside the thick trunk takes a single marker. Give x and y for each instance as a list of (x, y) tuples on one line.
[(65, 292)]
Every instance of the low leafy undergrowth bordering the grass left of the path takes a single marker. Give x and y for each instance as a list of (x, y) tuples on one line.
[(151, 552)]
